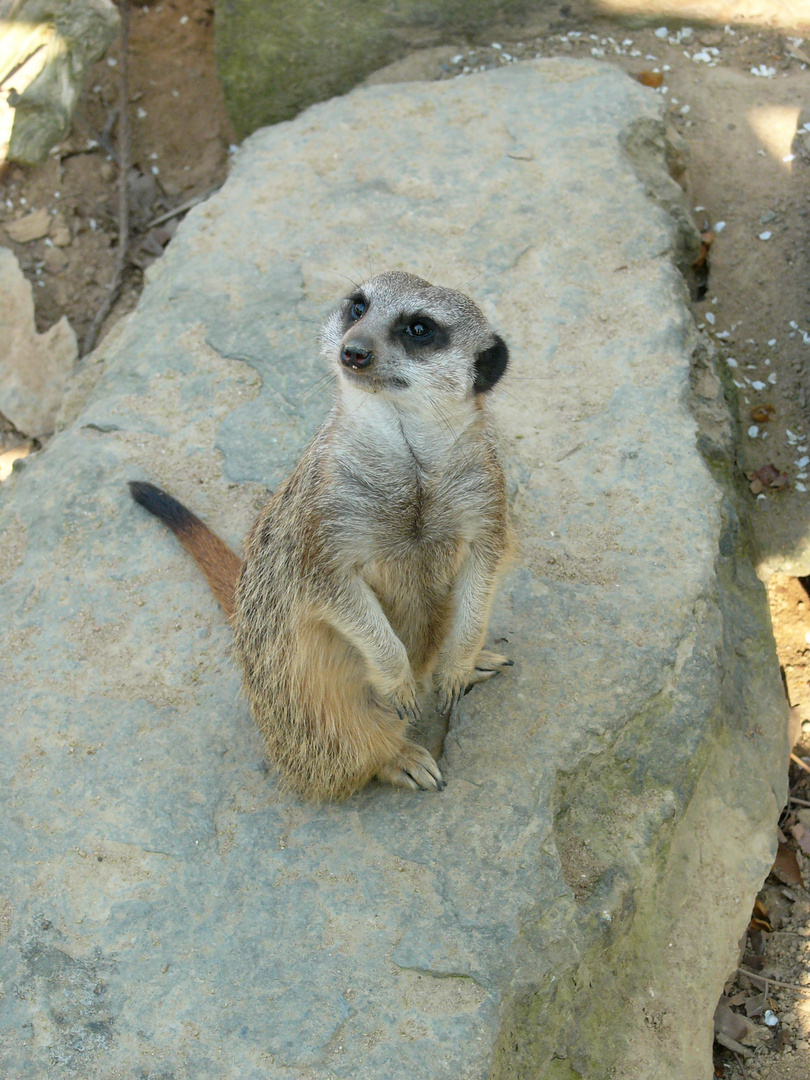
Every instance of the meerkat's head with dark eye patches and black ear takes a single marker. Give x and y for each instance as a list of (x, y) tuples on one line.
[(400, 336)]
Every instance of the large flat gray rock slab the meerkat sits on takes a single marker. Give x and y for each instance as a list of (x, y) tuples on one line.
[(572, 903)]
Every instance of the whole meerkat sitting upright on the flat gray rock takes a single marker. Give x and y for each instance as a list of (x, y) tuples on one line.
[(372, 570)]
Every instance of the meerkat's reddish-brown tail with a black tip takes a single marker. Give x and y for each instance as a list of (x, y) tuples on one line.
[(219, 563)]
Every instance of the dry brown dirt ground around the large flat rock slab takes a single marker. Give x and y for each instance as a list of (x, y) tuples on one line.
[(735, 91)]
